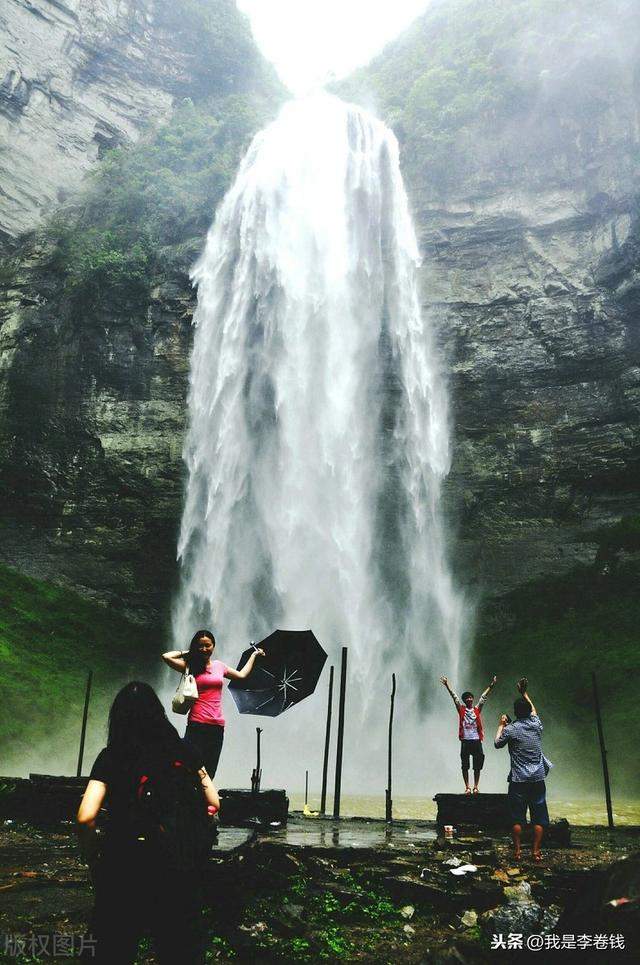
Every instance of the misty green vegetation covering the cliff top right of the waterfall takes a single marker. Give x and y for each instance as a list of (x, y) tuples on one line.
[(477, 84)]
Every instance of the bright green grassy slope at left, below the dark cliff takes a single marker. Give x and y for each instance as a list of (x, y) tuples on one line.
[(49, 639)]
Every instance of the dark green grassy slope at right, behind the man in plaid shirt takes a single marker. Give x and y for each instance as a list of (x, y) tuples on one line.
[(558, 632)]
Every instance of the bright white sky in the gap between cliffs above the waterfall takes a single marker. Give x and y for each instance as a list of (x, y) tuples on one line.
[(308, 40)]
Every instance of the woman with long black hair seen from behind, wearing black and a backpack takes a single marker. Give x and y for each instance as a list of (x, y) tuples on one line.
[(146, 867)]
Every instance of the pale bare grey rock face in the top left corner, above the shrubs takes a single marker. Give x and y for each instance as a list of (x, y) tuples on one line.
[(81, 76)]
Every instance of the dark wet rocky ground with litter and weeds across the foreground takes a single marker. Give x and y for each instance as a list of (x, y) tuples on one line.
[(351, 890)]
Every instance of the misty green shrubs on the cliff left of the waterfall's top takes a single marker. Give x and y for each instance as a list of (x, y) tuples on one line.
[(147, 207)]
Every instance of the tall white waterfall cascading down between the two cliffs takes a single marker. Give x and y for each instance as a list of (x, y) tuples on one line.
[(319, 432)]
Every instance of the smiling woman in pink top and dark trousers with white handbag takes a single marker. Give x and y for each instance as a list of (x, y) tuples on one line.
[(205, 728)]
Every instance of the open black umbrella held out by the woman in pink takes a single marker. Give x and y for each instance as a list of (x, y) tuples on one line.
[(288, 672)]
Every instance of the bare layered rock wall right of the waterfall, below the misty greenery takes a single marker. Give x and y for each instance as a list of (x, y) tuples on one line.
[(538, 297)]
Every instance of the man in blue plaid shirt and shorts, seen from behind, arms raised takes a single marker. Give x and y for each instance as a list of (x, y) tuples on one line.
[(529, 767)]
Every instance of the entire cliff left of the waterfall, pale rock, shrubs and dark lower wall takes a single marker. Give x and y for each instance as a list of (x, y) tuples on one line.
[(95, 311)]
